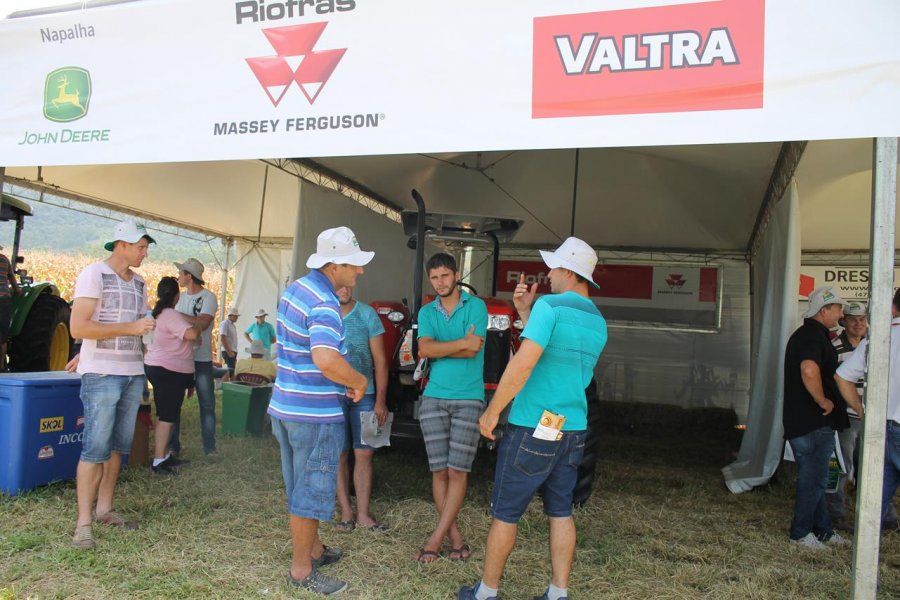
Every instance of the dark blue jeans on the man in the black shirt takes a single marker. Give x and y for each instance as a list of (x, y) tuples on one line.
[(812, 453)]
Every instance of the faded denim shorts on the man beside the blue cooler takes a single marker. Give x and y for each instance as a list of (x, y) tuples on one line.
[(110, 411)]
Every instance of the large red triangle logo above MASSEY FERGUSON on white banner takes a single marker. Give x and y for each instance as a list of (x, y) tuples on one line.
[(295, 61)]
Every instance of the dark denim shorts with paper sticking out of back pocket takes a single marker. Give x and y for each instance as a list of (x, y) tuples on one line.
[(525, 463)]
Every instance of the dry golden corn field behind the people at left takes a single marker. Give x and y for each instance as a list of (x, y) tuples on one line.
[(64, 269)]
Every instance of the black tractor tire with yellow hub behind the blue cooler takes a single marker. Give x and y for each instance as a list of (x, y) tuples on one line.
[(44, 344)]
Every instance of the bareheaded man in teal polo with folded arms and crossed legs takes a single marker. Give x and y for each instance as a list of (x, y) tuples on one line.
[(451, 336)]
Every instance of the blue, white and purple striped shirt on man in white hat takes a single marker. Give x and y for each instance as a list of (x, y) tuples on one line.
[(309, 316)]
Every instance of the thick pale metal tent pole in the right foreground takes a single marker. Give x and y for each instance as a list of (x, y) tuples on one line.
[(867, 536)]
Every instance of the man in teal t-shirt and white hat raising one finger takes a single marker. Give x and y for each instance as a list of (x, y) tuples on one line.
[(544, 441)]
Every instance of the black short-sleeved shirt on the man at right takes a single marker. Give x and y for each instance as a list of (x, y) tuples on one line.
[(801, 413)]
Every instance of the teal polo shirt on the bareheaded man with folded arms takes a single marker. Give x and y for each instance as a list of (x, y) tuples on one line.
[(455, 378)]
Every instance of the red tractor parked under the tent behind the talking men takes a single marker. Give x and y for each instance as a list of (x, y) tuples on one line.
[(454, 233)]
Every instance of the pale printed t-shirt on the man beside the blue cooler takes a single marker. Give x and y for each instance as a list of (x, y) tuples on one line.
[(118, 301)]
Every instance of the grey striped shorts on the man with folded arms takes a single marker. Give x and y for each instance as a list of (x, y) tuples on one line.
[(450, 429)]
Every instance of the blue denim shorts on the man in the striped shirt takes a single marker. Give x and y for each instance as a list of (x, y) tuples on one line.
[(309, 461)]
